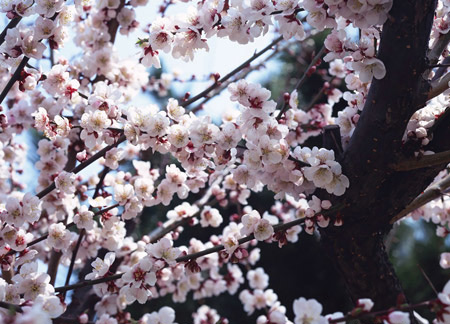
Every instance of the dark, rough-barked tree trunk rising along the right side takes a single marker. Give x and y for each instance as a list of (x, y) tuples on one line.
[(376, 192)]
